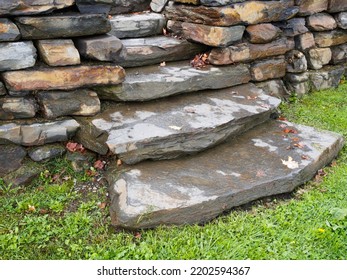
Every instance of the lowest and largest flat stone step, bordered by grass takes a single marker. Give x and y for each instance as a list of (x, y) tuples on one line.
[(198, 188)]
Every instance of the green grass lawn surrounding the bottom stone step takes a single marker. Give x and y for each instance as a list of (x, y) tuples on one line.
[(64, 215)]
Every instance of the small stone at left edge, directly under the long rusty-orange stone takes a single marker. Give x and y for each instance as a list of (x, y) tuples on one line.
[(17, 108)]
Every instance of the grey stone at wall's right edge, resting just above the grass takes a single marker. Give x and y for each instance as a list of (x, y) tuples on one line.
[(328, 77)]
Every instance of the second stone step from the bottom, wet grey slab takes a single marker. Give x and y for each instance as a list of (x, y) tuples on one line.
[(175, 126)]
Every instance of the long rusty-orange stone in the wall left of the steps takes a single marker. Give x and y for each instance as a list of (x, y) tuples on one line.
[(63, 77)]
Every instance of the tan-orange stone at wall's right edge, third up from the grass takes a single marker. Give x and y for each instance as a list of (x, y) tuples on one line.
[(331, 38)]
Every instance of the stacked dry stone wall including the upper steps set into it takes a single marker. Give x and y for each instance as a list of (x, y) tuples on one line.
[(59, 59)]
